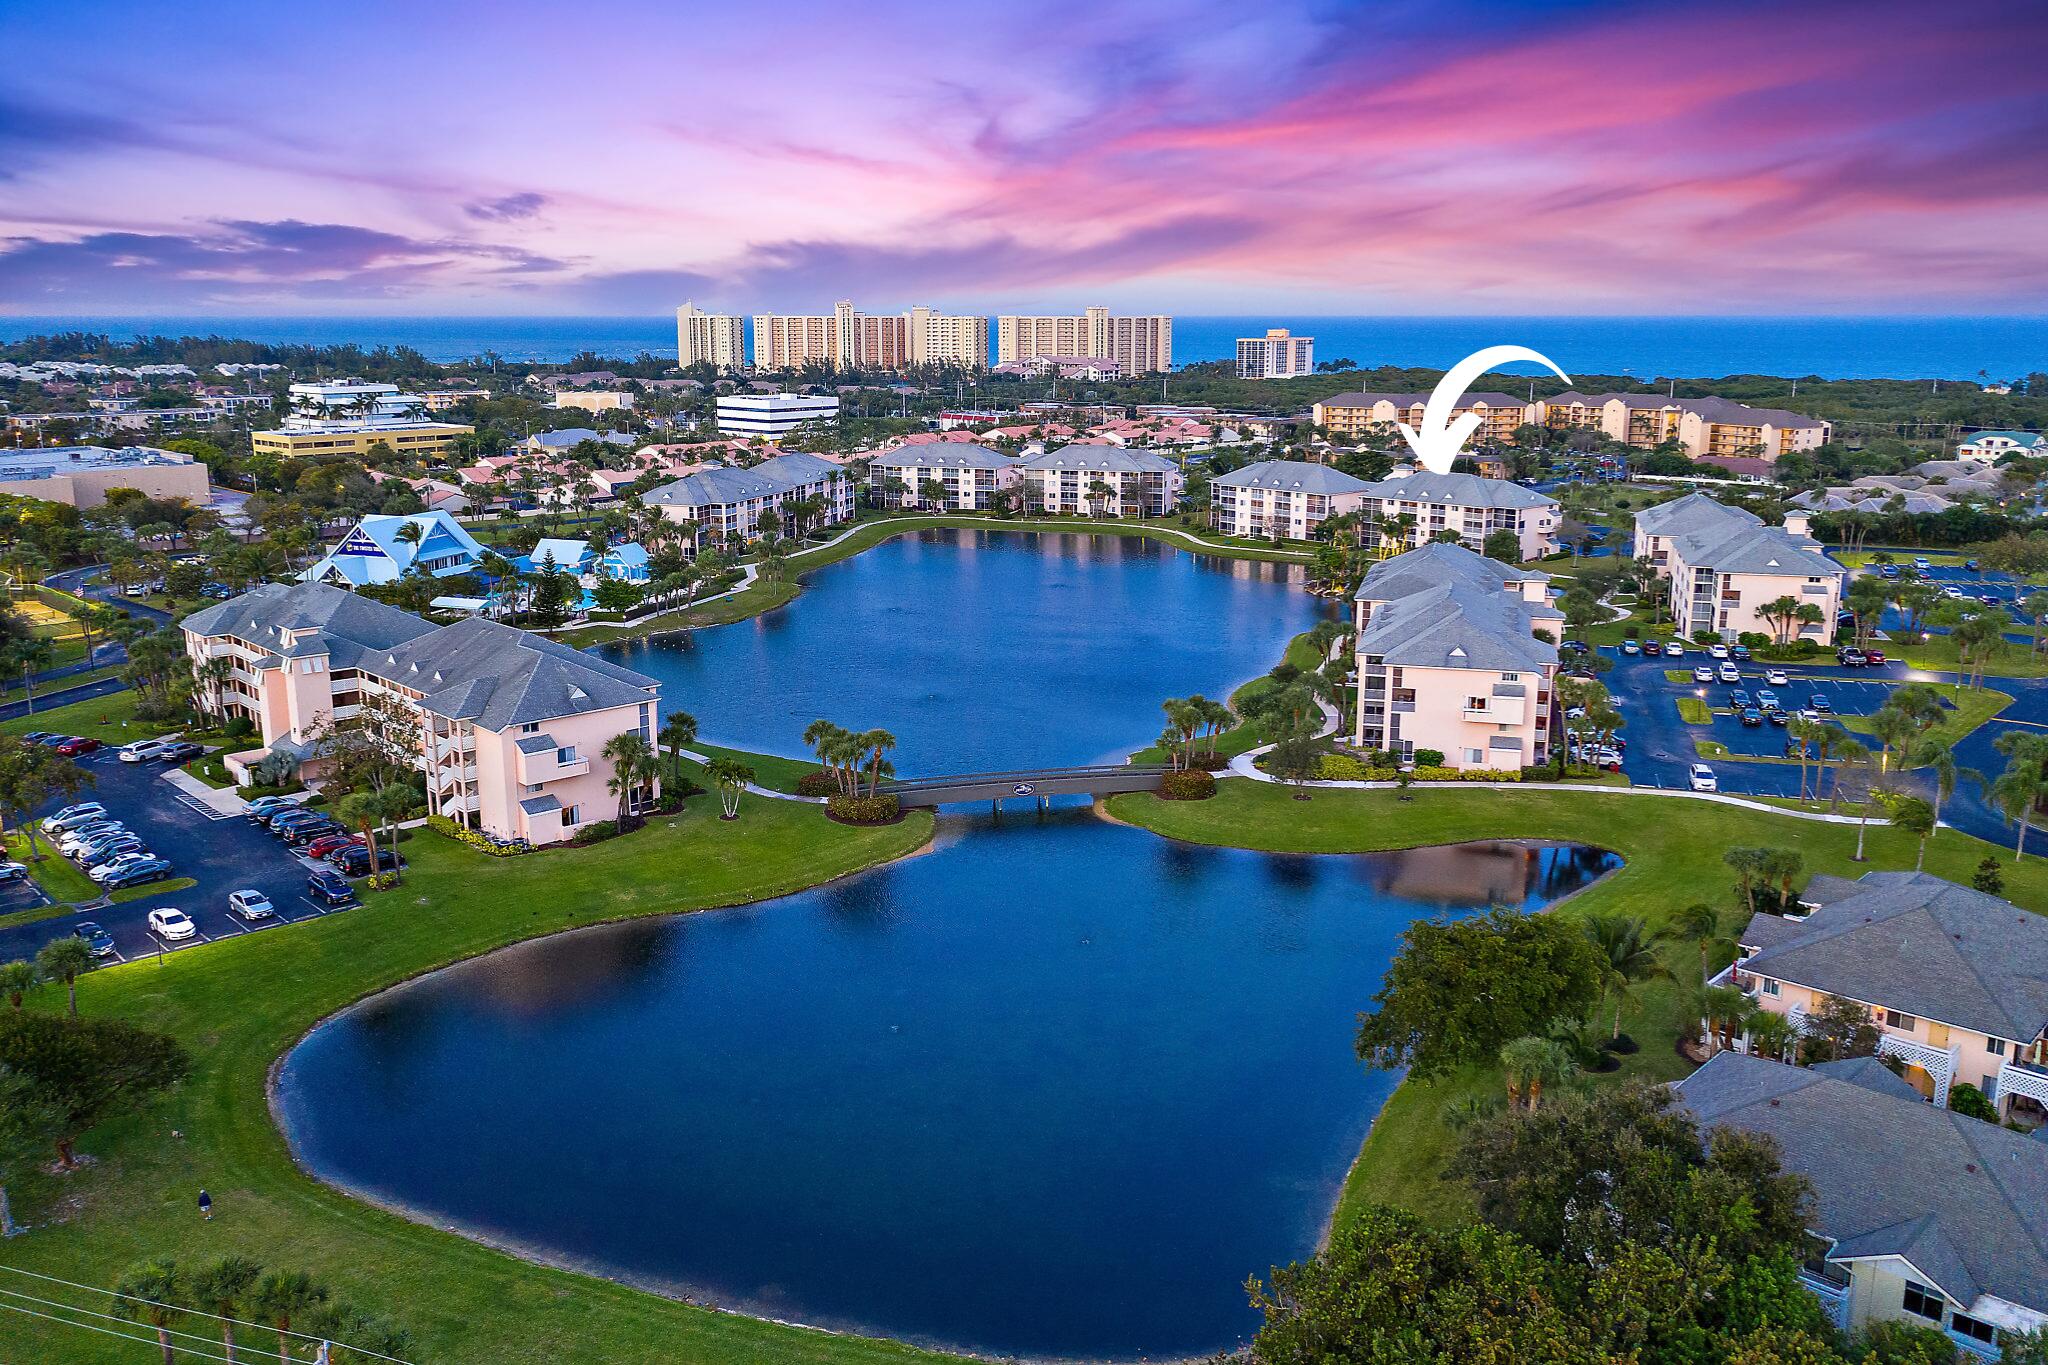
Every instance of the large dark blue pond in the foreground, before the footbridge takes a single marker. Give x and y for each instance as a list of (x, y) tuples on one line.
[(1052, 1090)]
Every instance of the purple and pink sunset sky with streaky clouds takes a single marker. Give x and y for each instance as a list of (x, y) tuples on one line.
[(1148, 155)]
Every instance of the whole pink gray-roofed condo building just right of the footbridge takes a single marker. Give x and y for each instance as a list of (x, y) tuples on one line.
[(1449, 660)]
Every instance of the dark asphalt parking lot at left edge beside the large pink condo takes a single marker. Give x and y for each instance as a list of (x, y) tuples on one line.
[(220, 852)]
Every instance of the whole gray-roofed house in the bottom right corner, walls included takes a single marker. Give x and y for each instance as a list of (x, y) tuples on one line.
[(1920, 1215)]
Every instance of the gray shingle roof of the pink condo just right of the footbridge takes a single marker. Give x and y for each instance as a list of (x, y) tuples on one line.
[(1449, 609)]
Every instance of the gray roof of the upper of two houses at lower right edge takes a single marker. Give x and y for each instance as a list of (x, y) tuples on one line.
[(1930, 949)]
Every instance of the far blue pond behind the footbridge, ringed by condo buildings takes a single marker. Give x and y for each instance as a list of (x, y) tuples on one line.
[(986, 650)]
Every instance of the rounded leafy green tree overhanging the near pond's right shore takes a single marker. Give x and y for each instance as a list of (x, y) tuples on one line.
[(1459, 992)]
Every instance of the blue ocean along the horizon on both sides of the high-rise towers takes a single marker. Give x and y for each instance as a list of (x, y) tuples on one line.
[(1971, 349)]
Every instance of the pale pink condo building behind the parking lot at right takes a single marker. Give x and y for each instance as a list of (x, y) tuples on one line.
[(1725, 568)]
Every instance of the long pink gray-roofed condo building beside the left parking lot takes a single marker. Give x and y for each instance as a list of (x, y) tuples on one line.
[(507, 725)]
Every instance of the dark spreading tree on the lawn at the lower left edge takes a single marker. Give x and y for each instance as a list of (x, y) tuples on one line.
[(91, 1069)]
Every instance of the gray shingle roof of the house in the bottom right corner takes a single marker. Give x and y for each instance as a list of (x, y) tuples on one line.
[(1965, 1202)]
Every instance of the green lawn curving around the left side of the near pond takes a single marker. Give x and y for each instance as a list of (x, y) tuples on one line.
[(243, 1002)]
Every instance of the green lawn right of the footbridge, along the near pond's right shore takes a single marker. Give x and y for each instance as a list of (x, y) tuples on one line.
[(1672, 854)]
